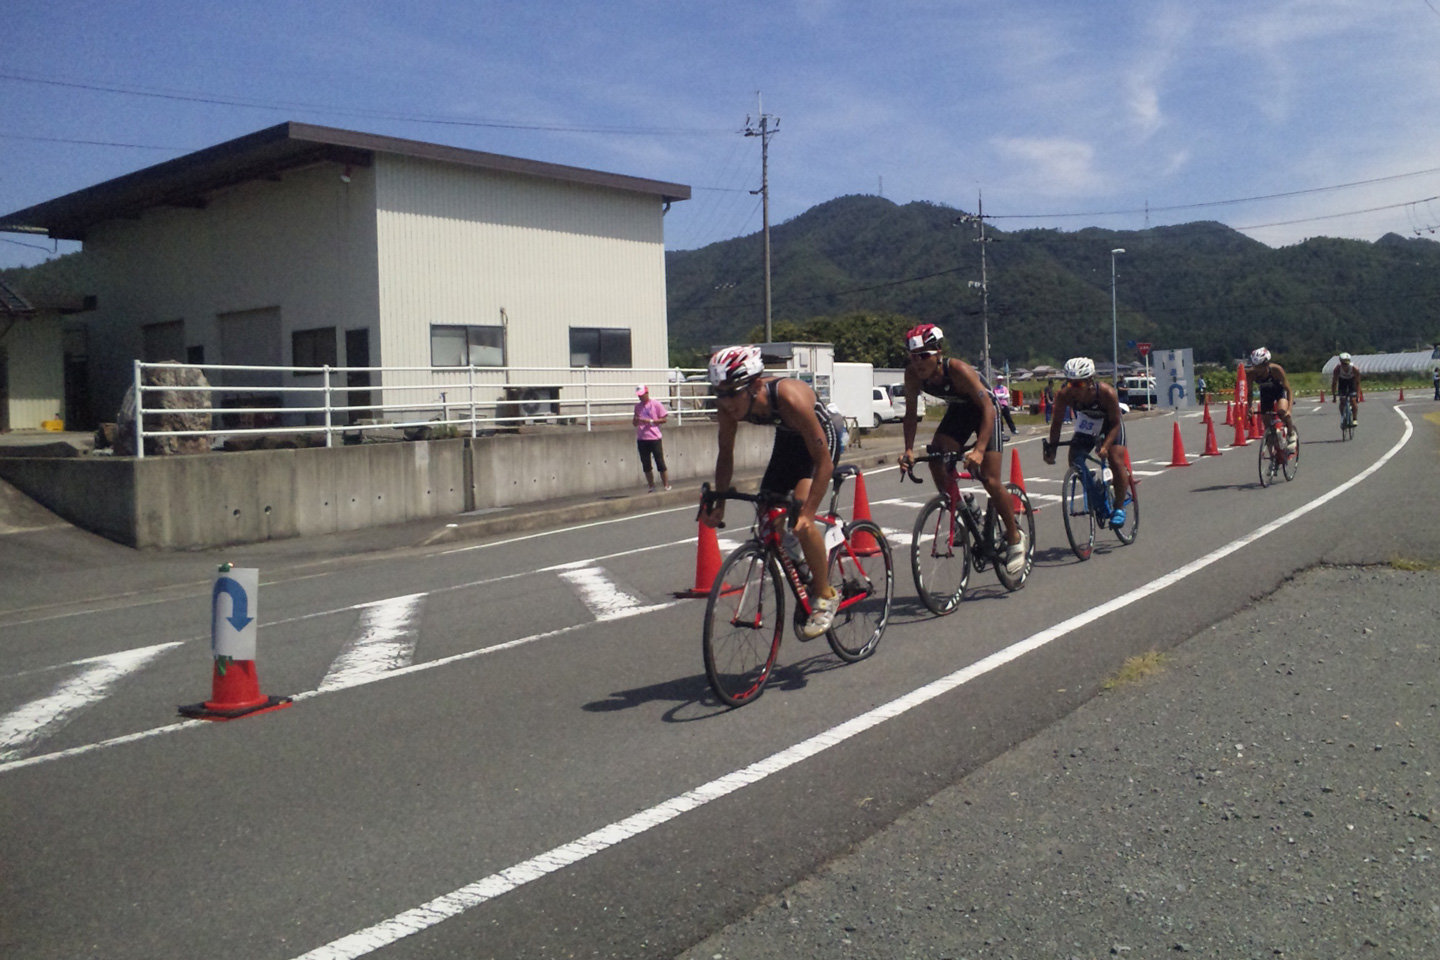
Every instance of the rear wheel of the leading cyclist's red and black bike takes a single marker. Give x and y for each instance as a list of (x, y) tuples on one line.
[(863, 576)]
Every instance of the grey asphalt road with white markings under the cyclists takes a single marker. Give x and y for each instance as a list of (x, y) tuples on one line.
[(506, 748)]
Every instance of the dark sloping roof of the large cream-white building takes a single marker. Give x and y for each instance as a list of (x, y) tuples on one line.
[(269, 153)]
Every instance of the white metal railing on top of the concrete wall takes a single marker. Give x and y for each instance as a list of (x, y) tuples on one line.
[(434, 402)]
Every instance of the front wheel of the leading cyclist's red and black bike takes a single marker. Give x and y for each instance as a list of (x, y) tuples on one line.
[(745, 620)]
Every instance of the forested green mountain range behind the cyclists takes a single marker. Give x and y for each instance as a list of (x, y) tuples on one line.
[(865, 264)]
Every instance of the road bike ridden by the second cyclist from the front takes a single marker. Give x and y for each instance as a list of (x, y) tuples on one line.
[(951, 535)]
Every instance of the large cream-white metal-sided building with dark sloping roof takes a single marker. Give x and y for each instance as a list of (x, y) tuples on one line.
[(306, 245)]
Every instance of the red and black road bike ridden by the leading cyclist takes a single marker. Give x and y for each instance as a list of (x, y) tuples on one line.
[(745, 614)]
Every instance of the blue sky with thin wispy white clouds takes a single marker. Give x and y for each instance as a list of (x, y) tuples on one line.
[(1063, 114)]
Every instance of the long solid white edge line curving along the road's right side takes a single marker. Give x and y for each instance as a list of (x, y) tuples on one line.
[(459, 902)]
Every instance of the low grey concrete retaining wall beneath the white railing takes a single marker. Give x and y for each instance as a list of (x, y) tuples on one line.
[(230, 499)]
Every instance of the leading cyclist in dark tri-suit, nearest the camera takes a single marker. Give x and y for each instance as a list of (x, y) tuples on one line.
[(807, 445)]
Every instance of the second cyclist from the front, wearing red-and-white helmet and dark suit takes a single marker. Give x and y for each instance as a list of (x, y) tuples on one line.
[(971, 411)]
